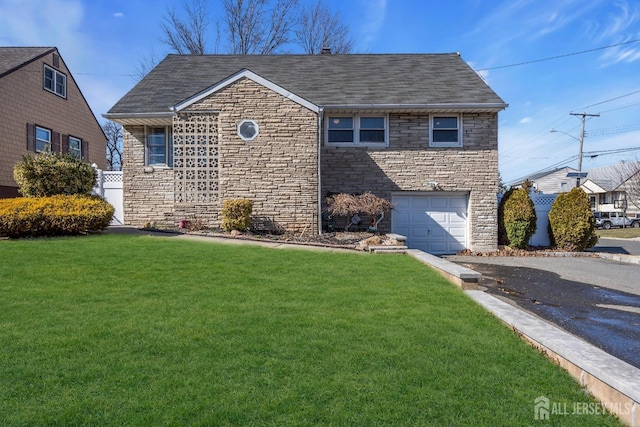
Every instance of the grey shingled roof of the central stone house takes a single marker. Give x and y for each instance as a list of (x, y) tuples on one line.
[(391, 80)]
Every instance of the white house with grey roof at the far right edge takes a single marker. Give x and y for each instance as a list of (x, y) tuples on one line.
[(614, 188)]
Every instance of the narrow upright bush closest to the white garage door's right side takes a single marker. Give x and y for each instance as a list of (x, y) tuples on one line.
[(519, 216)]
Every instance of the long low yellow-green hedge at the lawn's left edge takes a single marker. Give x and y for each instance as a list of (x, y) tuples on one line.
[(53, 216)]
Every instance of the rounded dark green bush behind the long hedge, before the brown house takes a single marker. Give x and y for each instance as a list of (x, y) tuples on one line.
[(50, 174)]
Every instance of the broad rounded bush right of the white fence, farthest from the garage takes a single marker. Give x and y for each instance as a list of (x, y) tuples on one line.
[(571, 222)]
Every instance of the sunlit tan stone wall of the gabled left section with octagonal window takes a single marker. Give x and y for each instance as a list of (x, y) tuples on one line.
[(278, 170)]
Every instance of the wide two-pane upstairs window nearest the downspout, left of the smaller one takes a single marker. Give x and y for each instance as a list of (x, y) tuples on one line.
[(357, 130)]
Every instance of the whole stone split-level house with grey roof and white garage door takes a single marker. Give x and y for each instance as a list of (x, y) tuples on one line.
[(286, 131)]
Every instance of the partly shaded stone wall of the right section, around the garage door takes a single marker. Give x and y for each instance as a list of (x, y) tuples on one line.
[(408, 164)]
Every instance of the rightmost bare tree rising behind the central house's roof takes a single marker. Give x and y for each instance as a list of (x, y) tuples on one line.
[(318, 28)]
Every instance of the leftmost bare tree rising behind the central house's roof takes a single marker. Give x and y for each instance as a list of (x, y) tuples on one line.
[(187, 36)]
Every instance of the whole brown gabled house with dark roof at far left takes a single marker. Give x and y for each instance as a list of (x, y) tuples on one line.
[(42, 109)]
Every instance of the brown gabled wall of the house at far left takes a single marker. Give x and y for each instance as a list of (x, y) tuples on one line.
[(24, 100)]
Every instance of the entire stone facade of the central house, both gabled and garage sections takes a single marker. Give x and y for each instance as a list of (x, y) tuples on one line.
[(278, 170)]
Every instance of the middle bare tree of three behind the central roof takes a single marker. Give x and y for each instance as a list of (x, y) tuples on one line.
[(253, 29)]
